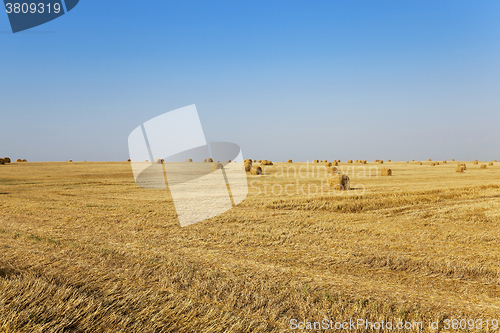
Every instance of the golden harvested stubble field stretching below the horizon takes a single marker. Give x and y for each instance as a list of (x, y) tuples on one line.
[(83, 249)]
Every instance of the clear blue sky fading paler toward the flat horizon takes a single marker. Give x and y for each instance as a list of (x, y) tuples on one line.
[(283, 79)]
